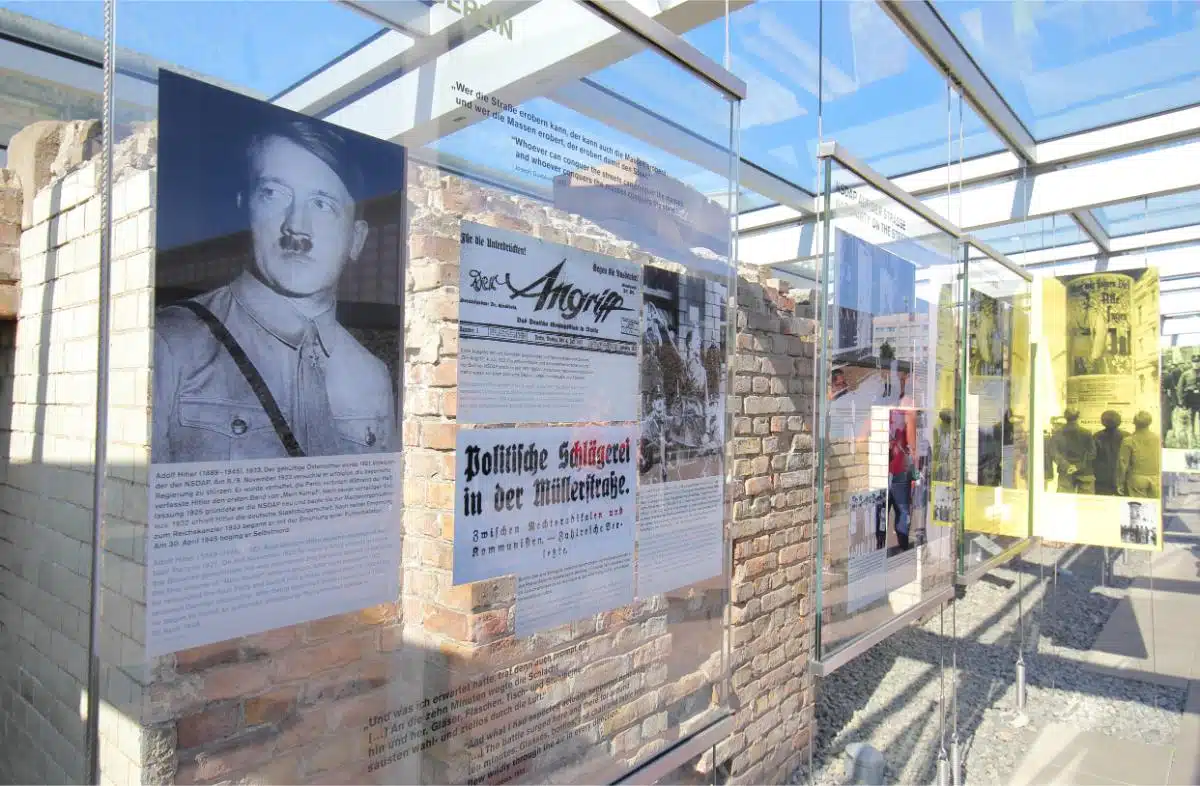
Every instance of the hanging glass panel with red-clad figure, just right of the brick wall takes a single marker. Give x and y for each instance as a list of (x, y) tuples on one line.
[(892, 314)]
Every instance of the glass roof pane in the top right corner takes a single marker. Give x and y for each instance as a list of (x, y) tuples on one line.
[(1072, 67)]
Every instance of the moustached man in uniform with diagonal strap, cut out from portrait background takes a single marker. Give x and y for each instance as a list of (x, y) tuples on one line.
[(261, 368)]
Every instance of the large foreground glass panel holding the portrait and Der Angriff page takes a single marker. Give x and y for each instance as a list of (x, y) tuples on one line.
[(495, 550)]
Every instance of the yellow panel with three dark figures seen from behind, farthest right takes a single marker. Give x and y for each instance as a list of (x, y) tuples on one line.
[(1099, 405)]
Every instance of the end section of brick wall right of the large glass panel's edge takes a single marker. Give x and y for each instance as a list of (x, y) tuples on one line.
[(771, 614)]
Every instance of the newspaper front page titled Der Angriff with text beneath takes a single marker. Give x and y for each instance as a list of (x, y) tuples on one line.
[(548, 333)]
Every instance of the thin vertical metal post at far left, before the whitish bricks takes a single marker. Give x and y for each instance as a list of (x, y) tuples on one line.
[(100, 464)]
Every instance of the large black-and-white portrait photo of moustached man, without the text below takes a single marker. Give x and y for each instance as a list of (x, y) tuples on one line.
[(279, 283)]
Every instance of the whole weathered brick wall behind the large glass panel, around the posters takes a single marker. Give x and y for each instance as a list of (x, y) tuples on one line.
[(291, 705)]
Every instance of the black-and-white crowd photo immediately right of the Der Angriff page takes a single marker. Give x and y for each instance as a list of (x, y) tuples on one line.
[(682, 376)]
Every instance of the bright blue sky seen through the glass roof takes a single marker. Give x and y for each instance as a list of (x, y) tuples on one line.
[(1061, 65)]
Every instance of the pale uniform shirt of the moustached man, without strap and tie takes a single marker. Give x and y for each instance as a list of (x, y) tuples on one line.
[(205, 410)]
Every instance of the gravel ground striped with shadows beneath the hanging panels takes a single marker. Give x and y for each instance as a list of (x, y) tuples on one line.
[(890, 697)]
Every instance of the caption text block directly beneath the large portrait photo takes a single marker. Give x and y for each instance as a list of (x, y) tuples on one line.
[(244, 547)]
